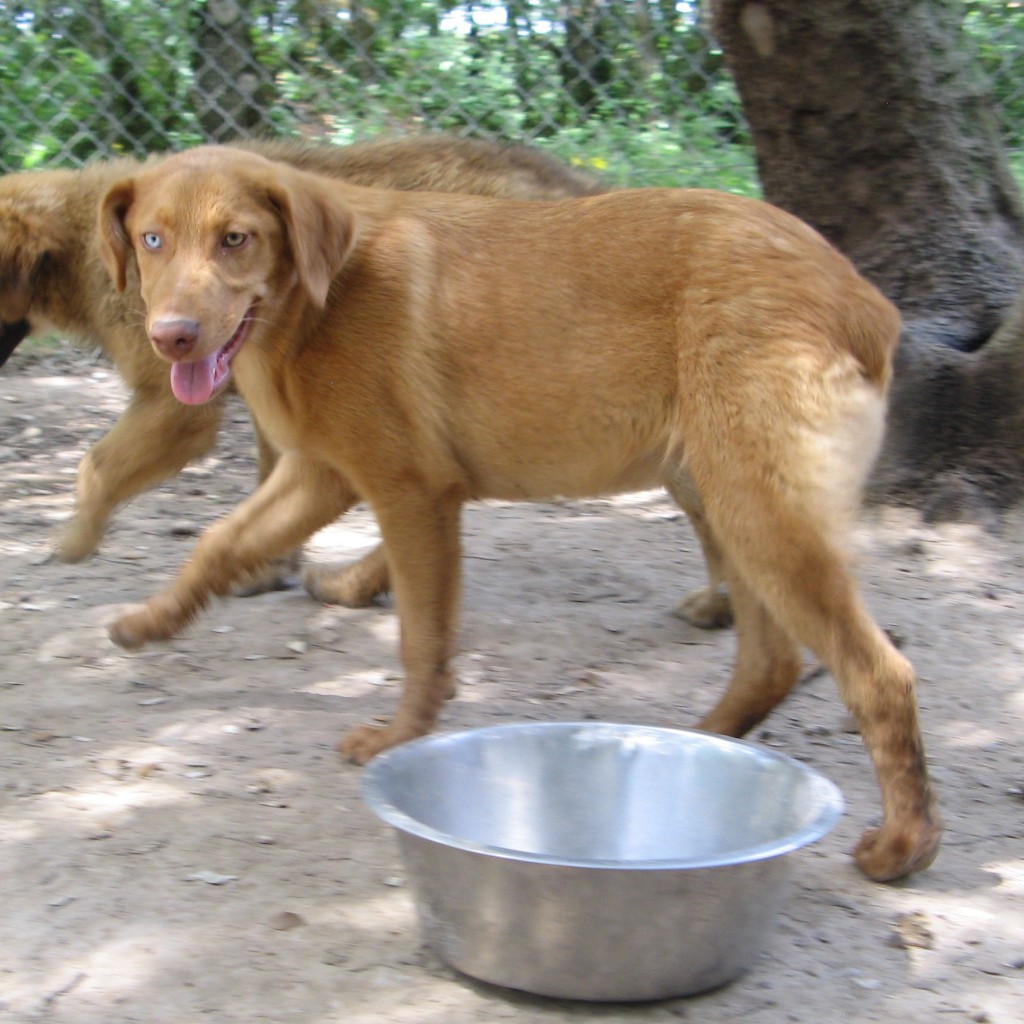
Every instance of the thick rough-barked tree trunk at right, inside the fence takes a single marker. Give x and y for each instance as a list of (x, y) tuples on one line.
[(873, 123)]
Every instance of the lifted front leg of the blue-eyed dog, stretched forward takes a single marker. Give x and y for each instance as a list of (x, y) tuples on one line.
[(298, 498)]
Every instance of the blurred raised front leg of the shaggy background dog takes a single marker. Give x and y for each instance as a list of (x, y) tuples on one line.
[(155, 438)]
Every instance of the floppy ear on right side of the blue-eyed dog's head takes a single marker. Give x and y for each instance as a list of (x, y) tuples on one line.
[(320, 226)]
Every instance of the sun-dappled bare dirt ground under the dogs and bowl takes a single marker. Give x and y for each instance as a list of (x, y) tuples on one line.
[(180, 841)]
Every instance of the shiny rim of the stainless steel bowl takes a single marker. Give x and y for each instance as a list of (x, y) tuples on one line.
[(830, 796)]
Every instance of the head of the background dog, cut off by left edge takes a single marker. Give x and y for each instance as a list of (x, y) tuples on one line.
[(30, 237)]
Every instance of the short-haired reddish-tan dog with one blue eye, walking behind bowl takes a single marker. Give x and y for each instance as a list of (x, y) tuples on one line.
[(426, 351)]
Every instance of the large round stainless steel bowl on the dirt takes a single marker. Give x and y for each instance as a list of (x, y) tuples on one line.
[(598, 862)]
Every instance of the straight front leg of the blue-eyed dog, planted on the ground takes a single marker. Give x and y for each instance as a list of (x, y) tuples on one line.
[(421, 537)]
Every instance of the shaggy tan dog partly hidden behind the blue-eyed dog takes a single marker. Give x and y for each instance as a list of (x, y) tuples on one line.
[(52, 280)]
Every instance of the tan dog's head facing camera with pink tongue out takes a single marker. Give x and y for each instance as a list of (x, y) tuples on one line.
[(226, 244)]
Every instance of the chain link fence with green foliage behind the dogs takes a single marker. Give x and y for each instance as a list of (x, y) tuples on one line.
[(636, 90)]
